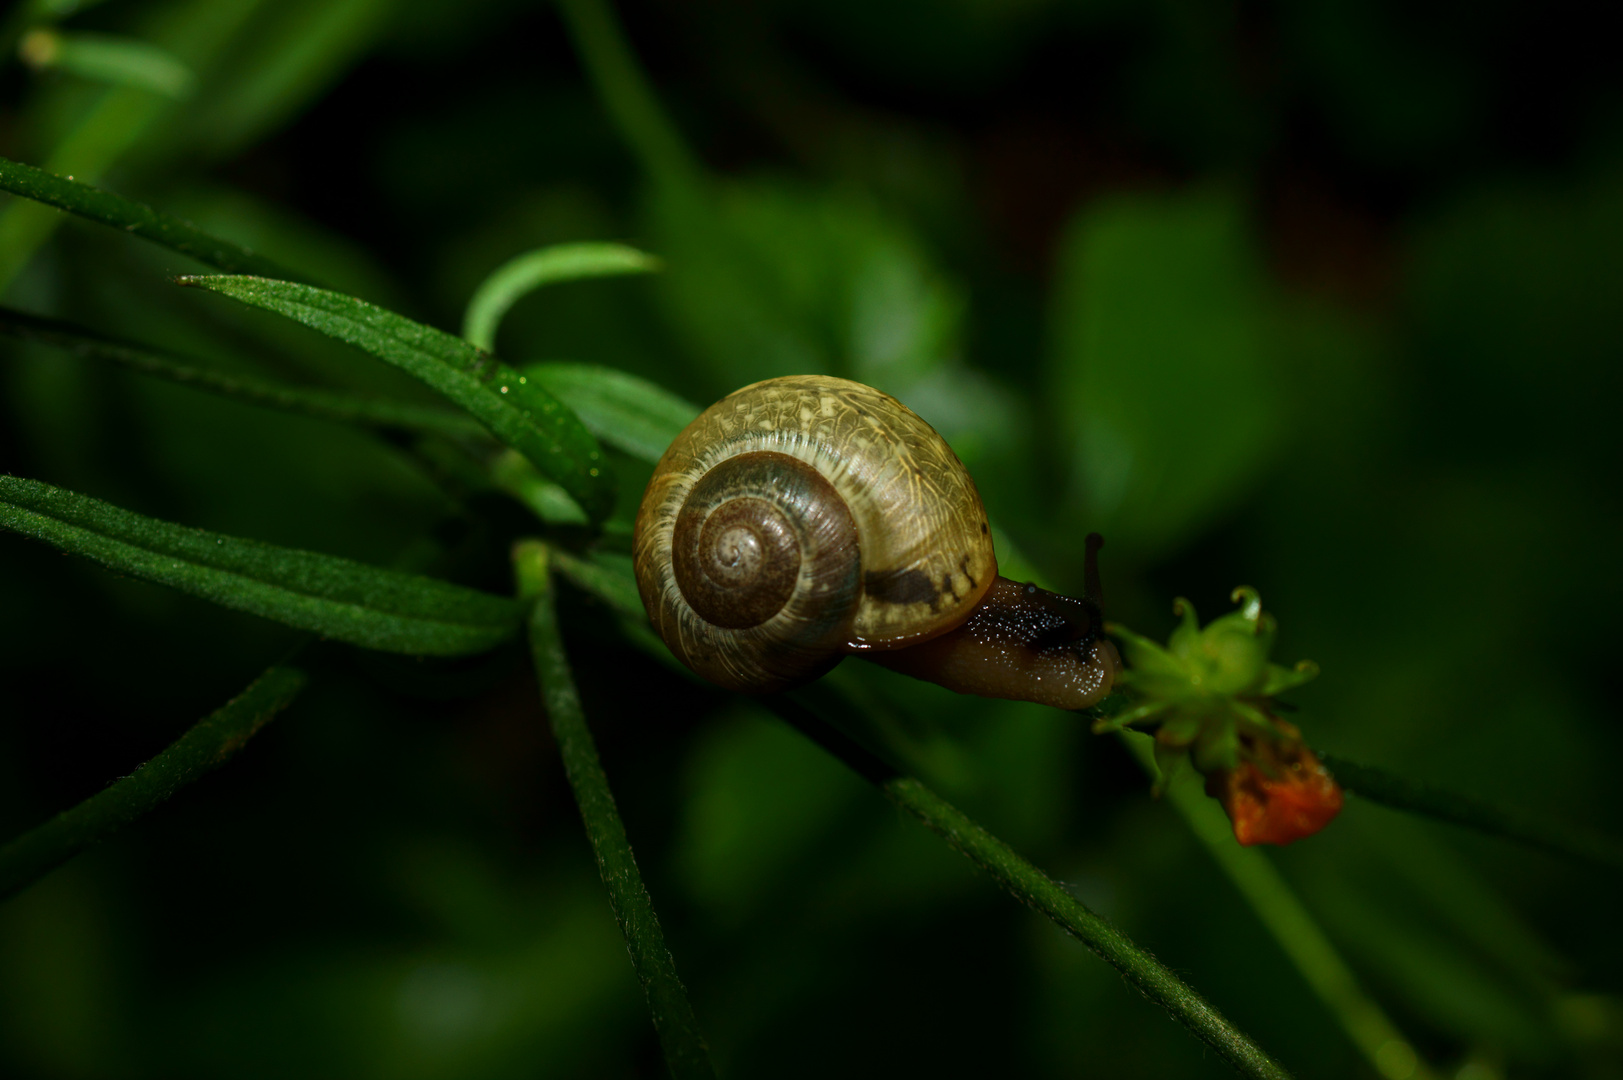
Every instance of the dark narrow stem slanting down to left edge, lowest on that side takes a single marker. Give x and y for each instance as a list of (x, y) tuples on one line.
[(209, 745)]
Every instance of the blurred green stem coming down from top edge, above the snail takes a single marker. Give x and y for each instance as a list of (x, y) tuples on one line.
[(631, 100)]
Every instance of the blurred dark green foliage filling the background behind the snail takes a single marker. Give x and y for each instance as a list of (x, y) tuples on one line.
[(1322, 300)]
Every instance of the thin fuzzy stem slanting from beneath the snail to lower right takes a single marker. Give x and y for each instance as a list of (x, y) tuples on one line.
[(1041, 892)]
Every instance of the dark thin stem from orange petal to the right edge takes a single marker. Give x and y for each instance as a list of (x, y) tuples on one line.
[(1377, 785)]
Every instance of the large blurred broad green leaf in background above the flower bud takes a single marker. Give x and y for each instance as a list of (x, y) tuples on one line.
[(1163, 366)]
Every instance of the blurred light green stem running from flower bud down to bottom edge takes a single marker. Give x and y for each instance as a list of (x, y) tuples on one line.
[(1291, 925)]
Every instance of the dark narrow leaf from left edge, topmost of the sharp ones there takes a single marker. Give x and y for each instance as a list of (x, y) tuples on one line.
[(134, 218)]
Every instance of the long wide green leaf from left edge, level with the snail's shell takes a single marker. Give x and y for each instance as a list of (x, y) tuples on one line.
[(338, 598)]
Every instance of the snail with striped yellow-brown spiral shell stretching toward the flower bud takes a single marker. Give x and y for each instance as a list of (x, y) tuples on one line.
[(809, 519)]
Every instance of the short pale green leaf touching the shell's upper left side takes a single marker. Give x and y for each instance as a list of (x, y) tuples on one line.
[(622, 410)]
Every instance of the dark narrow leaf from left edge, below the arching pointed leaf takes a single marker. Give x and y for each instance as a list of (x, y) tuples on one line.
[(306, 400)]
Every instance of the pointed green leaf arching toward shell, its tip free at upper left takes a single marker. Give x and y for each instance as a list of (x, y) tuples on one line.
[(512, 407)]
